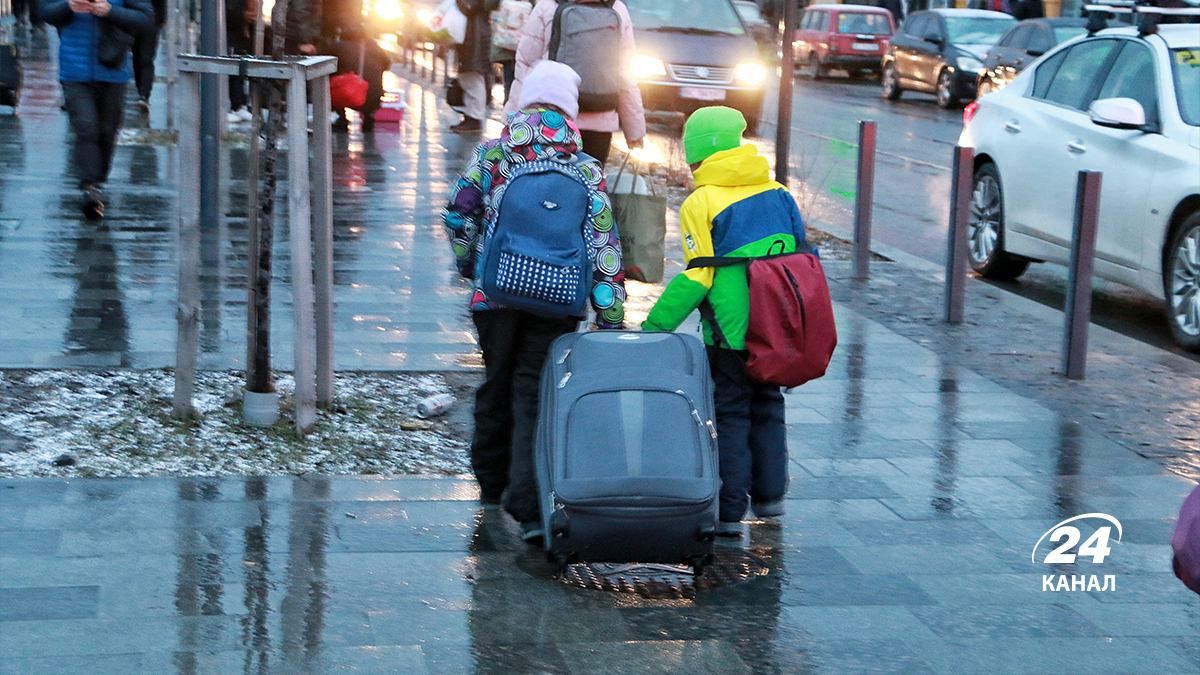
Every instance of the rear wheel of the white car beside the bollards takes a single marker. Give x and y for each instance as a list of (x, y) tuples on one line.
[(987, 229)]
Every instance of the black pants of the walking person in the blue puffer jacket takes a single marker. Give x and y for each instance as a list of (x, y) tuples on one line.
[(95, 110)]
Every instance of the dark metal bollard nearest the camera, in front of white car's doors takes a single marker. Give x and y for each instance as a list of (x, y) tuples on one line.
[(1079, 274)]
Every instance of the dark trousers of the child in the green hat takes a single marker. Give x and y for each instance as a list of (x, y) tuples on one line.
[(751, 434)]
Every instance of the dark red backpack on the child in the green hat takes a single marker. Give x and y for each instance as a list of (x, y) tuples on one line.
[(791, 334)]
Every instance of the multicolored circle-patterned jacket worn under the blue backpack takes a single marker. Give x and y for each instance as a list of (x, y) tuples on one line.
[(535, 134)]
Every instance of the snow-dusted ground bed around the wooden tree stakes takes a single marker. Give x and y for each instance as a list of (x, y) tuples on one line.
[(119, 423)]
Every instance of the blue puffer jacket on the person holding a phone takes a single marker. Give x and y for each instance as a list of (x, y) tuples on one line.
[(80, 38)]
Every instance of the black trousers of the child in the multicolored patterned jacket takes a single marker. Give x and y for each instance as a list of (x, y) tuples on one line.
[(515, 345)]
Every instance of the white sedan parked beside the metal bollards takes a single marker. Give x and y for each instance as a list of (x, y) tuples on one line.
[(1119, 103)]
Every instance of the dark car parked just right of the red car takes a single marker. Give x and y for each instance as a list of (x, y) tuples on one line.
[(941, 52)]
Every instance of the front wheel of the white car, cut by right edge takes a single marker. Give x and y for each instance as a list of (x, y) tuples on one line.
[(1181, 284)]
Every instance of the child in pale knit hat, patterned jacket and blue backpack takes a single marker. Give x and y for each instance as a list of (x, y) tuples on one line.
[(541, 135)]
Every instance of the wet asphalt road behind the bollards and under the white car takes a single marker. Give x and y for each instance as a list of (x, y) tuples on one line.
[(915, 150)]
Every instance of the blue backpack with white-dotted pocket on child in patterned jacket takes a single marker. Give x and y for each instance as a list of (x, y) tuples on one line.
[(537, 255)]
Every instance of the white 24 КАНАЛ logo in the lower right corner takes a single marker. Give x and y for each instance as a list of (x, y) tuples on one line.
[(1072, 547)]
